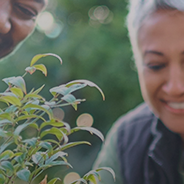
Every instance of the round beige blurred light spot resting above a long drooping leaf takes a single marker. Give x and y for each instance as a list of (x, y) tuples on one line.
[(85, 120)]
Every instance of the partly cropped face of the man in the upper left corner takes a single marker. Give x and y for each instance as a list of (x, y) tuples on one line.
[(17, 21)]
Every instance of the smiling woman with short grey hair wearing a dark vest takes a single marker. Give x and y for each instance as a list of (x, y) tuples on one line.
[(145, 145)]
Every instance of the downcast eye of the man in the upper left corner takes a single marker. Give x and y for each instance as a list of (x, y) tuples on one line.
[(26, 12)]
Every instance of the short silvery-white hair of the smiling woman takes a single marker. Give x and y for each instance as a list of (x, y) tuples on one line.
[(139, 10)]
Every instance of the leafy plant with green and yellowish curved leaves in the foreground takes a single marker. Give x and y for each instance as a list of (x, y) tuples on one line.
[(26, 158)]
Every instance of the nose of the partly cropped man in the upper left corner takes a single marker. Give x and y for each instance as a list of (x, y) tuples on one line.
[(5, 23)]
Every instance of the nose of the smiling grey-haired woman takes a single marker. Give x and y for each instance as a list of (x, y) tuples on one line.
[(174, 85)]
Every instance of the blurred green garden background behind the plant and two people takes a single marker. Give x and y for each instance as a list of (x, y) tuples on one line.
[(91, 38)]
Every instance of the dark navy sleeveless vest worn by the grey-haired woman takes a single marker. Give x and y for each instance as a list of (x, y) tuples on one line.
[(147, 149)]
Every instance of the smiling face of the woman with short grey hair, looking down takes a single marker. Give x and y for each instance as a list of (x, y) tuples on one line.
[(161, 73)]
